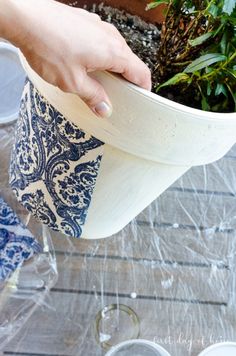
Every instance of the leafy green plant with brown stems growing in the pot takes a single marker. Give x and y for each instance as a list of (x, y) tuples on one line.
[(198, 51)]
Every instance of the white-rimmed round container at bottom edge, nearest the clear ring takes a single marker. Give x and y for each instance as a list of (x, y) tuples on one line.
[(137, 347)]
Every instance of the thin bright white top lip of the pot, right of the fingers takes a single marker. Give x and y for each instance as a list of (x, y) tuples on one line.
[(206, 115)]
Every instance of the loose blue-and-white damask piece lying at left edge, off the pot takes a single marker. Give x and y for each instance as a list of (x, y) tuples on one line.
[(17, 244)]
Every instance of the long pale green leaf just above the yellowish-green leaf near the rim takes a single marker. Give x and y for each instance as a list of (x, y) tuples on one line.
[(204, 61)]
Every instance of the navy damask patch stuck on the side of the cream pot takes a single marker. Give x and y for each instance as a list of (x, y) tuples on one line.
[(54, 165)]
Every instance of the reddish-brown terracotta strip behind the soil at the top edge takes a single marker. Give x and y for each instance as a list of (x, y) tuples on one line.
[(136, 7)]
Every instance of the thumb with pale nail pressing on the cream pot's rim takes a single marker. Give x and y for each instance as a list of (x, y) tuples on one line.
[(93, 94)]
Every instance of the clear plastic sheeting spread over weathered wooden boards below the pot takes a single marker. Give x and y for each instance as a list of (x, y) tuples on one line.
[(173, 267)]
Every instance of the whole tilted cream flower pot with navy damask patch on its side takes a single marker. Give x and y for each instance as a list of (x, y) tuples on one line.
[(89, 177)]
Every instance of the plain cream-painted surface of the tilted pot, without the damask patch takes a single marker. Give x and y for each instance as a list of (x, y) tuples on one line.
[(149, 142)]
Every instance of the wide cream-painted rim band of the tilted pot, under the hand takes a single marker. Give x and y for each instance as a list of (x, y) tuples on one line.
[(126, 134)]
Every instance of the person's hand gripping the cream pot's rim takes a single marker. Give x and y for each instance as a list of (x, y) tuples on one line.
[(64, 44)]
